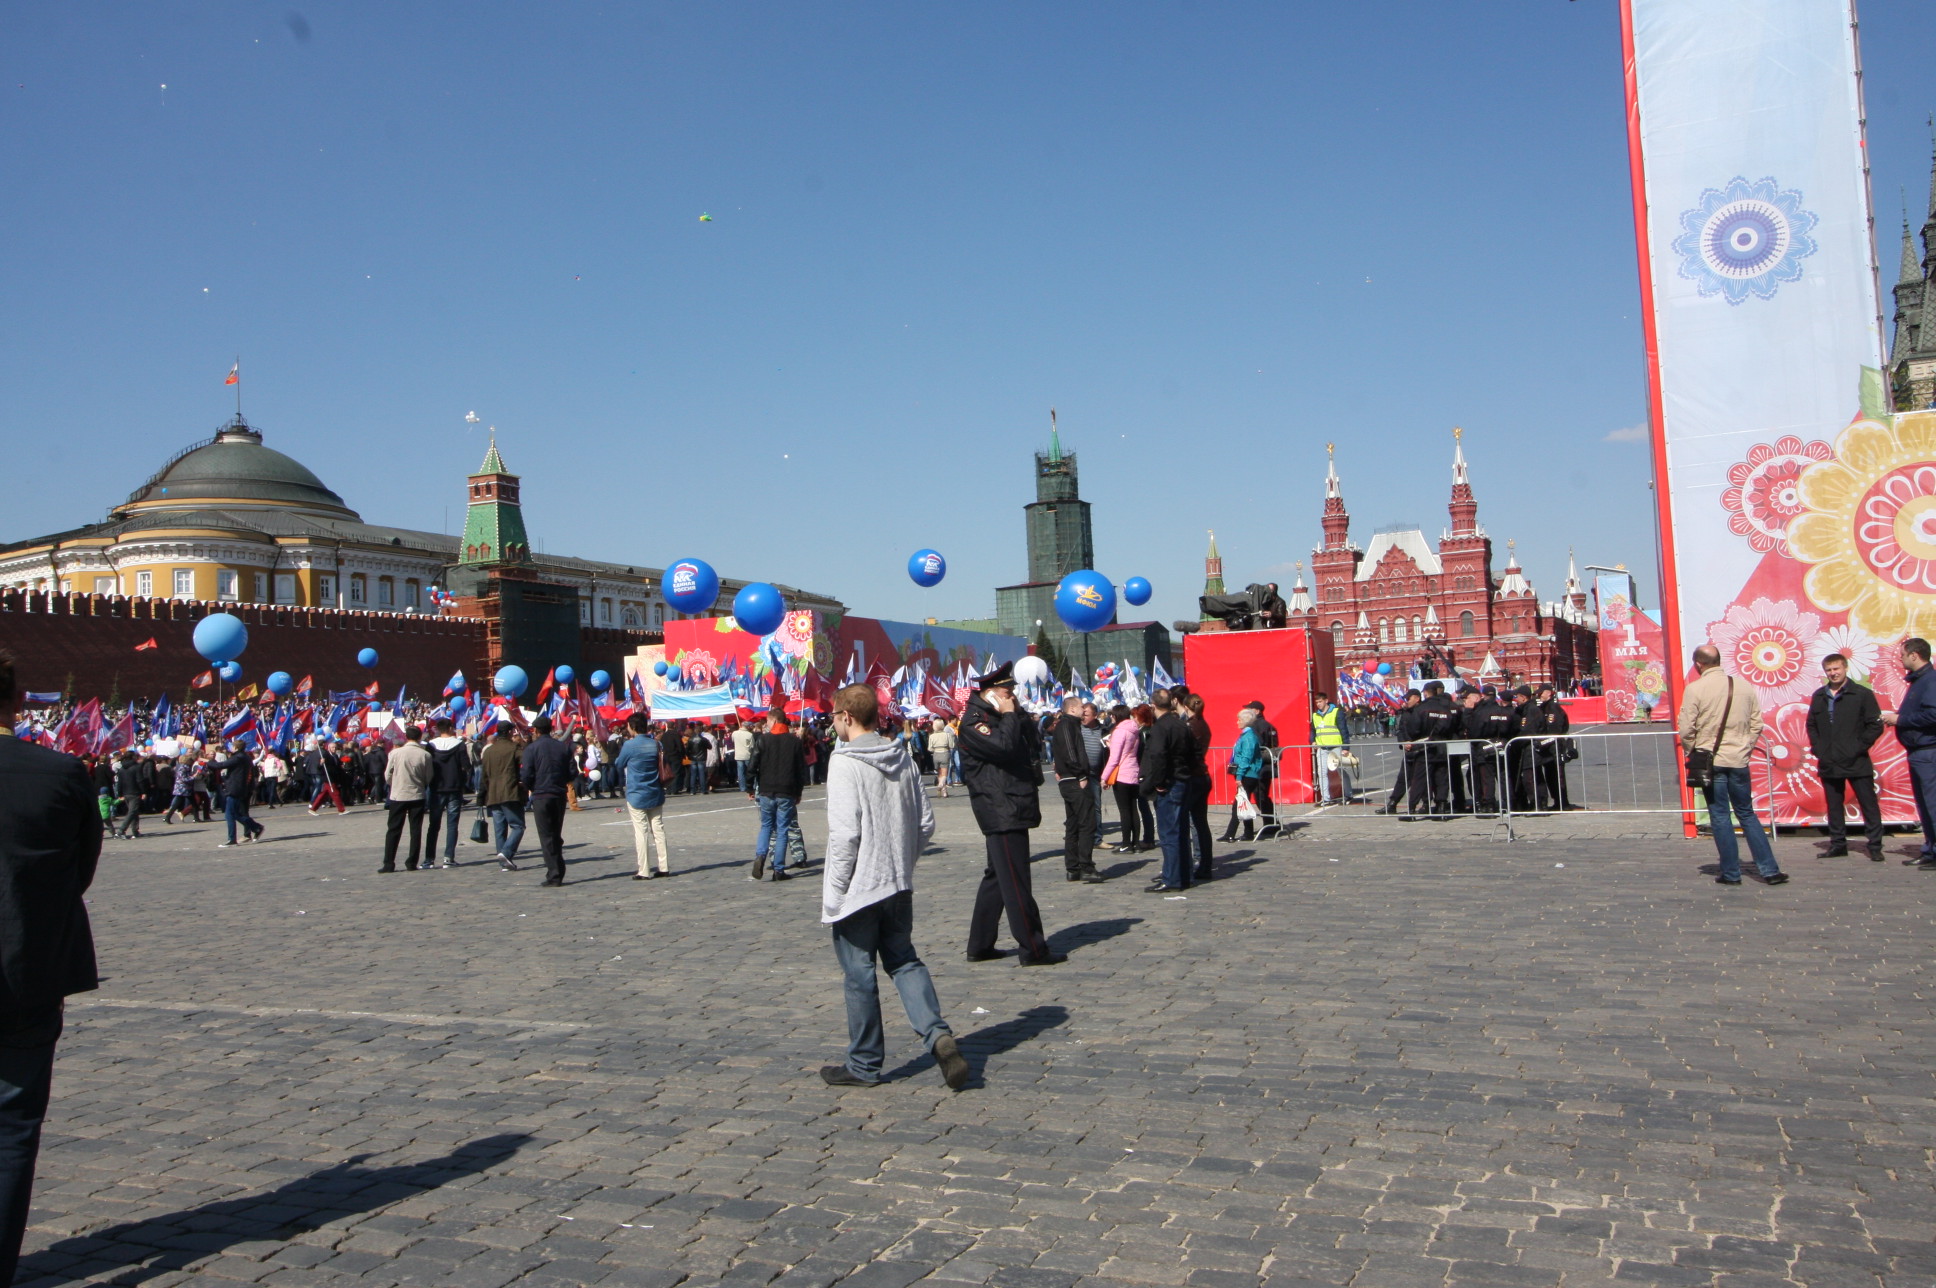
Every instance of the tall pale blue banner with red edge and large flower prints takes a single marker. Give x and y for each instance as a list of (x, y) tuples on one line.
[(1792, 501)]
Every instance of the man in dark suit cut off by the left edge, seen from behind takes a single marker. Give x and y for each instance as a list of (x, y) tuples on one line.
[(49, 845)]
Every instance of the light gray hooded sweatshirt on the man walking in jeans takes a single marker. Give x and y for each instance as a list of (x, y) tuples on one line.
[(878, 820)]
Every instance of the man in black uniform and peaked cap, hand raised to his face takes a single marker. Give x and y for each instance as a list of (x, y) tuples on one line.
[(998, 749)]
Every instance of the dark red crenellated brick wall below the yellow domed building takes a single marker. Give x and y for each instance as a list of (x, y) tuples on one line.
[(94, 638)]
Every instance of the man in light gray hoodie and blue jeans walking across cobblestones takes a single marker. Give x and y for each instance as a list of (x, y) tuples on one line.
[(878, 820)]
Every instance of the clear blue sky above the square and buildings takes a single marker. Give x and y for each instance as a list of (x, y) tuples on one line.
[(1213, 235)]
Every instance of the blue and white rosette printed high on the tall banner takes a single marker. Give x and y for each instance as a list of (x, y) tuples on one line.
[(1745, 239)]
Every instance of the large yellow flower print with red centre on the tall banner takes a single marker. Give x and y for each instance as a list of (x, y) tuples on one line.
[(1871, 528)]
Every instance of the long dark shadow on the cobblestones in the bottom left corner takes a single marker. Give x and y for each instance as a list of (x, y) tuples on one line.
[(162, 1246)]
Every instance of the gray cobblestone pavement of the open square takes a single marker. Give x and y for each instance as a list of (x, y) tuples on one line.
[(1372, 1055)]
